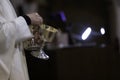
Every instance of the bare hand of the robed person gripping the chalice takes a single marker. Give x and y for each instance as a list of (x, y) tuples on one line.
[(36, 19)]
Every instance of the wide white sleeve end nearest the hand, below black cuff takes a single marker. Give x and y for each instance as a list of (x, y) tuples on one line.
[(23, 31)]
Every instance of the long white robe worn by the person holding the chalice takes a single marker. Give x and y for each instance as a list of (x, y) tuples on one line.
[(13, 30)]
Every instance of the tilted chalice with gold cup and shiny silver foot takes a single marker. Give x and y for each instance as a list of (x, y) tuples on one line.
[(47, 34)]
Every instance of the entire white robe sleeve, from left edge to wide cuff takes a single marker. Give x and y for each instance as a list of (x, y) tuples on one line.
[(16, 30)]
